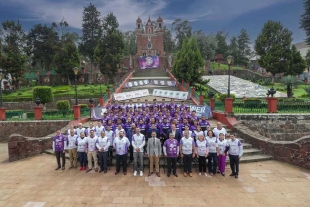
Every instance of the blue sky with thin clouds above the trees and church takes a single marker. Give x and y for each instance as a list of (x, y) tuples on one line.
[(207, 15)]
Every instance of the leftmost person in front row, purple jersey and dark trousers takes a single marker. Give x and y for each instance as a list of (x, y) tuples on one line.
[(59, 146)]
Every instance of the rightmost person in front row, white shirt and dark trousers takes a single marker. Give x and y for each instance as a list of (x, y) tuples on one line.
[(235, 151)]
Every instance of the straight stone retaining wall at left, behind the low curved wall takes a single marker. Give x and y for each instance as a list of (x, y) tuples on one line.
[(29, 128)]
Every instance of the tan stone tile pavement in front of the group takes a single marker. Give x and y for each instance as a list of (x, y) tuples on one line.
[(34, 182)]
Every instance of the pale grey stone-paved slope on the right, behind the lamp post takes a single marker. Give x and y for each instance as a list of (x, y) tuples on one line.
[(240, 87)]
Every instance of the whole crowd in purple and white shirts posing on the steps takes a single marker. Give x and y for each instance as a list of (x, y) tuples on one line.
[(156, 130)]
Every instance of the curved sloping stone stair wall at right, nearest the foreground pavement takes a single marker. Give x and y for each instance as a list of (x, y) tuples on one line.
[(295, 152)]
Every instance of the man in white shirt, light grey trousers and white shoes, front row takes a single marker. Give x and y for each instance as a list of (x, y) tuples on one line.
[(138, 142)]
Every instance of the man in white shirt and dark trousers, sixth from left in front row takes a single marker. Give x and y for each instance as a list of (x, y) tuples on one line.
[(121, 144)]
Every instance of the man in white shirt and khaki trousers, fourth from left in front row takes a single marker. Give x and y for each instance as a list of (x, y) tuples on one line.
[(91, 151)]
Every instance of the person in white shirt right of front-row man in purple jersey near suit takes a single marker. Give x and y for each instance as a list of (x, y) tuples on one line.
[(187, 152)]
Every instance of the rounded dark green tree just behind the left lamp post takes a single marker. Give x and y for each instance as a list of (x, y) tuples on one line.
[(66, 59)]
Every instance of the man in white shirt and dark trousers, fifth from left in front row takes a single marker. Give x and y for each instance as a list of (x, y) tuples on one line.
[(102, 144)]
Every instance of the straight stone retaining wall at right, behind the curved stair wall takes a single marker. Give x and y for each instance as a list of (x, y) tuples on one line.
[(277, 127)]
